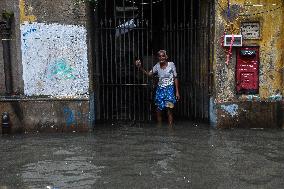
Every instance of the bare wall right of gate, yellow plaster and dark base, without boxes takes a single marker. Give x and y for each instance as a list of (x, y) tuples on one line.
[(230, 109)]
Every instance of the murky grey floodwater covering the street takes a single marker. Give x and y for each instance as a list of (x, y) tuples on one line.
[(144, 156)]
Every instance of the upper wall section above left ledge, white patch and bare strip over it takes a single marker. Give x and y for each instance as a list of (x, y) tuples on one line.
[(54, 48)]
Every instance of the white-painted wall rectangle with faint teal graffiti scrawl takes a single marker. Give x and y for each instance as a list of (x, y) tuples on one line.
[(54, 59)]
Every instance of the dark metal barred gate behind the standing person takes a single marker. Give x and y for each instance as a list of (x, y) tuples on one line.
[(131, 29)]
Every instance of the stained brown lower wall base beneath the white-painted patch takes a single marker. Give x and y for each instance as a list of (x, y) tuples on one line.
[(42, 115)]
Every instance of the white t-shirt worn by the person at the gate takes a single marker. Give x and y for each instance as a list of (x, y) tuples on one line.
[(166, 75)]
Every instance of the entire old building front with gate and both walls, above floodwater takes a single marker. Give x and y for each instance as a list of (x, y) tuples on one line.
[(67, 64)]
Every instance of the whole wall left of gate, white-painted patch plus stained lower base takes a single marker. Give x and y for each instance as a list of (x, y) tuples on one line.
[(51, 74)]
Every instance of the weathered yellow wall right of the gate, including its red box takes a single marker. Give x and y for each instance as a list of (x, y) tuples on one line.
[(249, 94)]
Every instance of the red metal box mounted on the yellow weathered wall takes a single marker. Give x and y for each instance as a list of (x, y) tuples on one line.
[(247, 70)]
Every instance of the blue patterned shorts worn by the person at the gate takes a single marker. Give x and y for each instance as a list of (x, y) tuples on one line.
[(165, 97)]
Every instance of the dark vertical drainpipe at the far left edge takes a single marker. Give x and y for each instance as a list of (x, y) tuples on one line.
[(5, 29)]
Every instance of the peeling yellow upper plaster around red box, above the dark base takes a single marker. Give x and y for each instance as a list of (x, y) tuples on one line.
[(271, 45)]
